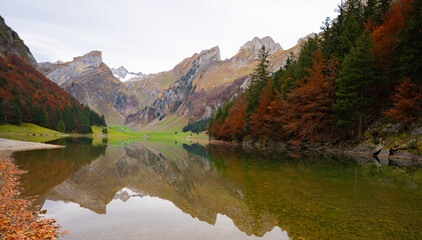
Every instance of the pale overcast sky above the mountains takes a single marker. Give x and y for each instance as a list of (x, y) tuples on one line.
[(153, 36)]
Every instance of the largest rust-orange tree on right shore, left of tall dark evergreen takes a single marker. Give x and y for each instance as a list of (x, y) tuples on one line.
[(307, 113)]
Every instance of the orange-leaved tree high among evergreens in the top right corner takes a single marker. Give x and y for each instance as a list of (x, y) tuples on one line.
[(385, 36)]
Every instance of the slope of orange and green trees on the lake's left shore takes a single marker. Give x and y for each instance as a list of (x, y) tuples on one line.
[(27, 96)]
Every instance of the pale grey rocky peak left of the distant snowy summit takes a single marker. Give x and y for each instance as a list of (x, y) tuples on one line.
[(89, 80)]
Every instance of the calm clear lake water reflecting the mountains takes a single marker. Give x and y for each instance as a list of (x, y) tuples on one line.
[(173, 190)]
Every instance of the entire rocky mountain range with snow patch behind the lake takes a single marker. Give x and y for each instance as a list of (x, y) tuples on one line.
[(135, 99)]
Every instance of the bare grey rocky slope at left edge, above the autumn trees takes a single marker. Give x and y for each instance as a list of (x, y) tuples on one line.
[(11, 44)]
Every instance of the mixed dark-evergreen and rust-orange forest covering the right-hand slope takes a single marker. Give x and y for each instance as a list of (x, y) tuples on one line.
[(365, 65)]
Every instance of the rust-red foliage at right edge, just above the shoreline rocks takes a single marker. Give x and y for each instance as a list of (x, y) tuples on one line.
[(405, 101)]
